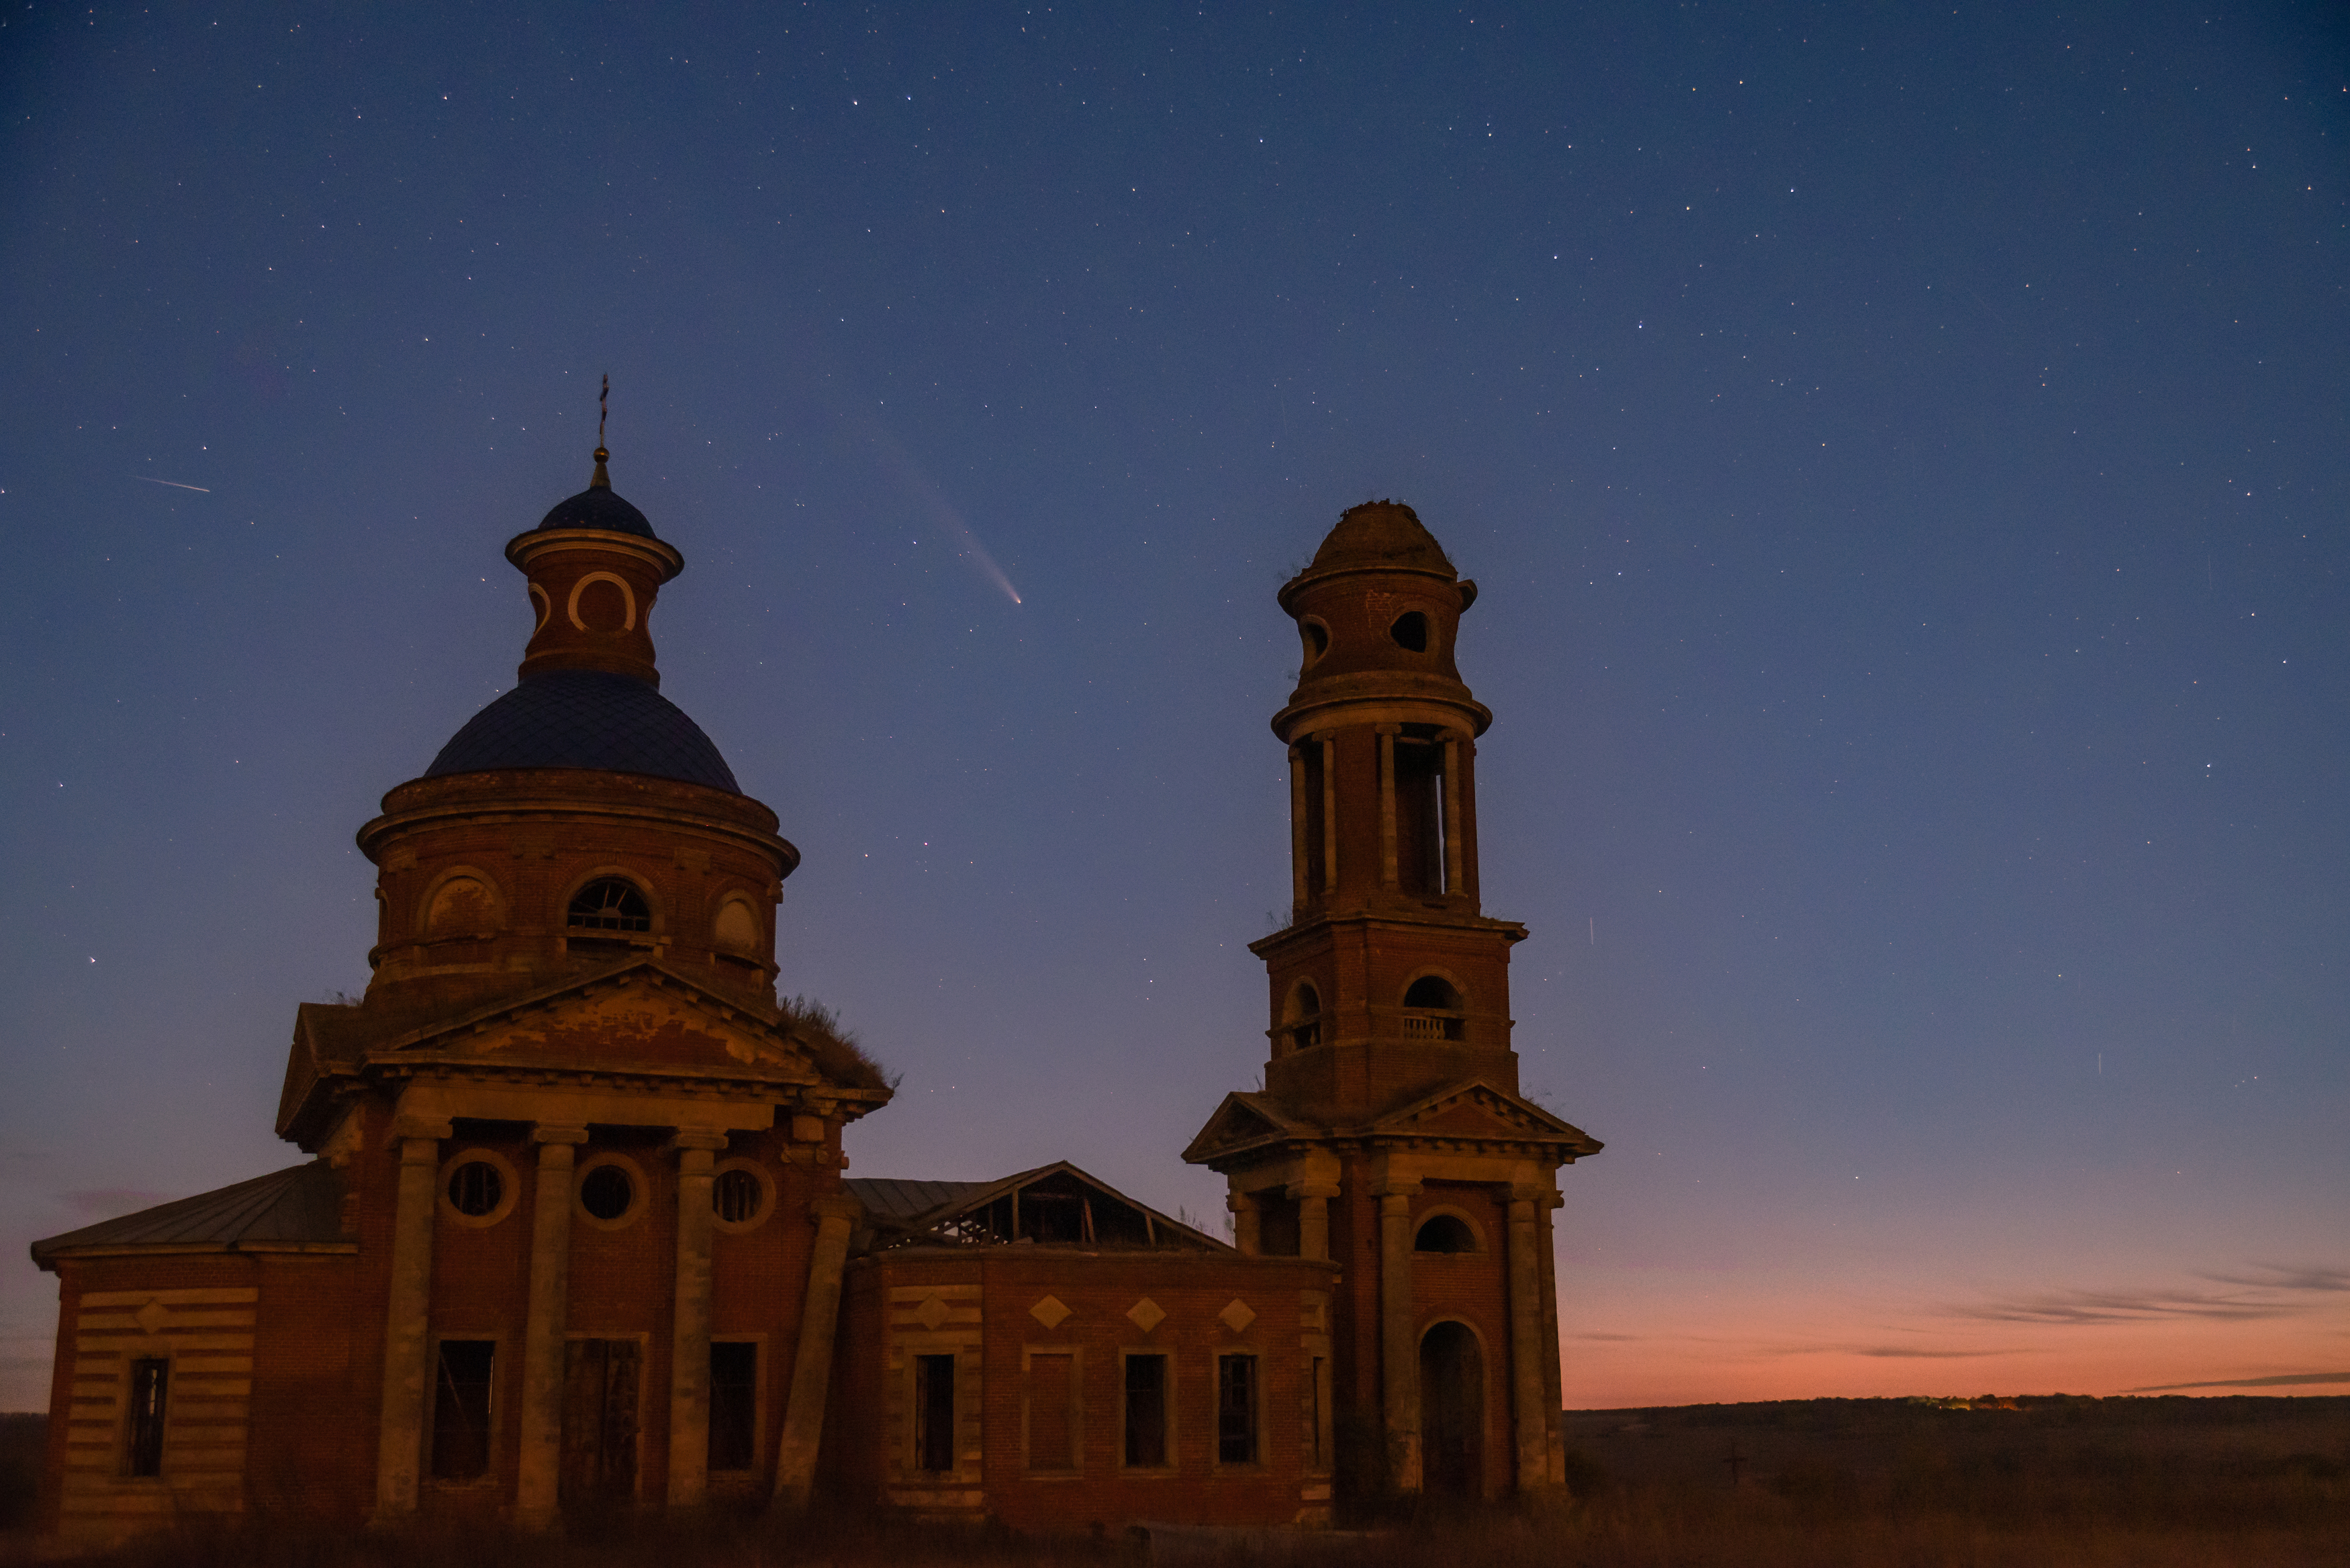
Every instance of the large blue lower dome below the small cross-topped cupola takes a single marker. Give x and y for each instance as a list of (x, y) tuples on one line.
[(586, 721)]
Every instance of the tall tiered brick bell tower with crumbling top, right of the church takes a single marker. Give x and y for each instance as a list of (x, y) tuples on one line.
[(1390, 1132)]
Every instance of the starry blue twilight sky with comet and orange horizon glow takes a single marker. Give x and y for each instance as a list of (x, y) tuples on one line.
[(1902, 453)]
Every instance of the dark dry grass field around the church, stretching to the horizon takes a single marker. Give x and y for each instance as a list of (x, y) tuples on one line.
[(1829, 1482)]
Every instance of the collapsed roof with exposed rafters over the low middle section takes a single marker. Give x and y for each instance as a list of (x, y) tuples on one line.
[(1047, 1207)]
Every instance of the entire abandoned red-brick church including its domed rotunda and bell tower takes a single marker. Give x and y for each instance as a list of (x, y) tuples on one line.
[(577, 1228)]
